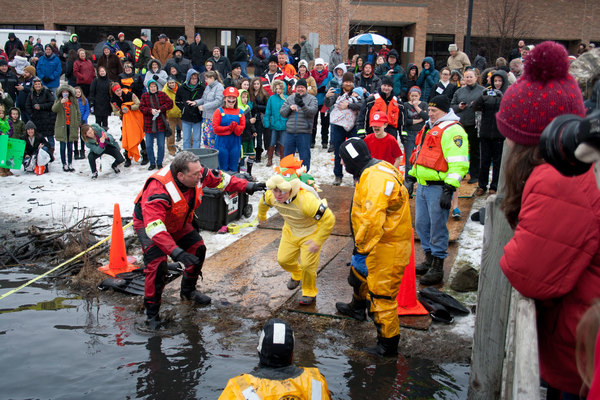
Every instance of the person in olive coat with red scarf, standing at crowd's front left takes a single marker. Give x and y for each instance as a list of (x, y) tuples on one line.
[(66, 127)]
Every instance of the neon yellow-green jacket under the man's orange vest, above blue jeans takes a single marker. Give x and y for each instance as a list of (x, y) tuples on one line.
[(455, 147)]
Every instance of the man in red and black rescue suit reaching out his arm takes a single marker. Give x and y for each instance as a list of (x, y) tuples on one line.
[(163, 220)]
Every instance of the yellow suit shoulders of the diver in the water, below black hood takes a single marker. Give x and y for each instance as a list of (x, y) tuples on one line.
[(310, 385)]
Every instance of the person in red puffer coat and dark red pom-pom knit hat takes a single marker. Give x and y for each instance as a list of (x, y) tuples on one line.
[(554, 255)]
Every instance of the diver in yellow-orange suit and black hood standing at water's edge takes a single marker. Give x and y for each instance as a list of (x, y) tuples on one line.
[(382, 231)]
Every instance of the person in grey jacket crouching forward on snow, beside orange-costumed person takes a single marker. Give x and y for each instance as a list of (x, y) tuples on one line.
[(100, 142)]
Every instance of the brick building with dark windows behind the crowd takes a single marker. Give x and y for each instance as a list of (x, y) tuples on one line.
[(432, 23)]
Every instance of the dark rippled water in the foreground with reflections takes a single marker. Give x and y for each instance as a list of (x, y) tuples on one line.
[(56, 345)]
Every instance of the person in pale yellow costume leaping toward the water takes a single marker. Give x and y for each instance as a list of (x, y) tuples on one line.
[(308, 223)]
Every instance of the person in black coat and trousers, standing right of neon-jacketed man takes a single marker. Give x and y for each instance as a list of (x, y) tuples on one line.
[(490, 139)]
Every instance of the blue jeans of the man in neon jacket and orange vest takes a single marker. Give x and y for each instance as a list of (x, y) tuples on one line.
[(431, 219)]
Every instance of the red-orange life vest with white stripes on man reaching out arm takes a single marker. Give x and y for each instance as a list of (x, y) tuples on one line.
[(179, 214)]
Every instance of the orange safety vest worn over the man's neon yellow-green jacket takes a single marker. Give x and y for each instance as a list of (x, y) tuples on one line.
[(428, 151)]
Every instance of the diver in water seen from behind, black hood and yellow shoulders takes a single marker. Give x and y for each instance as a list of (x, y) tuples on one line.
[(276, 376)]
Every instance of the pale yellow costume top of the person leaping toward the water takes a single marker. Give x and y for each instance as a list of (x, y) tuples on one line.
[(304, 215)]
